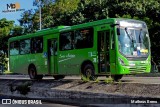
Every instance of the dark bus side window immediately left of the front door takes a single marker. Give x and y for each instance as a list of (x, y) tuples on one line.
[(84, 38)]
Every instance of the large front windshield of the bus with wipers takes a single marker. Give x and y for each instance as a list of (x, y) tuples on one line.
[(133, 42)]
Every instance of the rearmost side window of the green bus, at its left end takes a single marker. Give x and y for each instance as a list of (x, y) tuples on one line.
[(14, 48)]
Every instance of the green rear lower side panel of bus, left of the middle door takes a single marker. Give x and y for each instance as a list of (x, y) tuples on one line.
[(25, 61)]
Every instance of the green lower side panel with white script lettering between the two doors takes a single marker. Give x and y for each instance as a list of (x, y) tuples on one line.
[(69, 62)]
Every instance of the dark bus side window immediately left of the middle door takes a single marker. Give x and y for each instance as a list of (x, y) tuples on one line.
[(37, 45)]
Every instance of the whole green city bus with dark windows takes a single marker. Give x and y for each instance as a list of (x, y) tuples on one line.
[(110, 47)]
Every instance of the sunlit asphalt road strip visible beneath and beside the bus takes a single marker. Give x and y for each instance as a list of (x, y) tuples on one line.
[(125, 79)]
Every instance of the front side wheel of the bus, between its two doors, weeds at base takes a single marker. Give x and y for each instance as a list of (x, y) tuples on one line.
[(88, 72)]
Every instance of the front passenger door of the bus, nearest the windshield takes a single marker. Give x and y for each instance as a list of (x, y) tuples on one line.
[(106, 49)]
